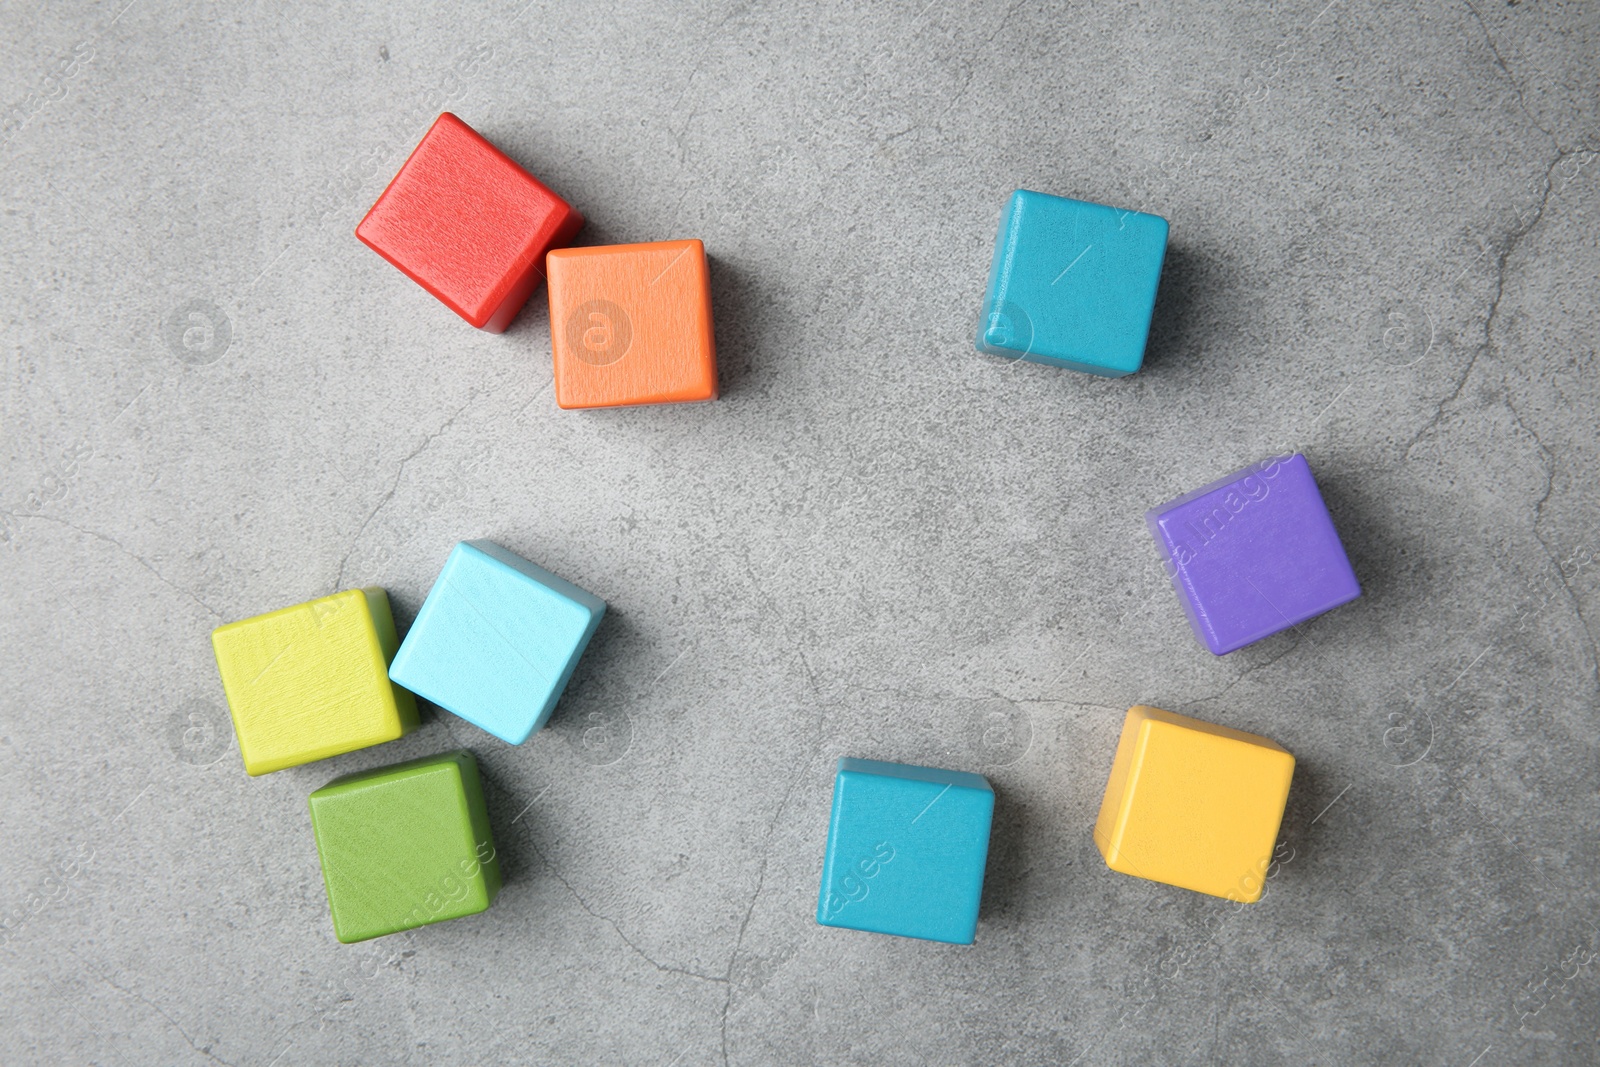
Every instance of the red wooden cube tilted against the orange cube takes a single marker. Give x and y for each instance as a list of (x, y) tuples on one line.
[(468, 225)]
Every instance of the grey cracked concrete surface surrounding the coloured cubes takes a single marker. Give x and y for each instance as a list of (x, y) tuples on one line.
[(879, 543)]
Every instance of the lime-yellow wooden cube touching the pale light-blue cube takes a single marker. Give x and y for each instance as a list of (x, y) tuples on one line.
[(310, 682)]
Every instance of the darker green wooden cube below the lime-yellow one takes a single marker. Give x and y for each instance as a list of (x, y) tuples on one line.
[(406, 845)]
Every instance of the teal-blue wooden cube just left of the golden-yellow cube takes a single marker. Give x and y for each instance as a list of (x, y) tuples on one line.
[(906, 852)]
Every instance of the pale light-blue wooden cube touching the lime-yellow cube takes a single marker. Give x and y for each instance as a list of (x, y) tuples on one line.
[(497, 641)]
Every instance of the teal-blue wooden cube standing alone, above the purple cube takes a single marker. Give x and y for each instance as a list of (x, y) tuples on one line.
[(1073, 284)]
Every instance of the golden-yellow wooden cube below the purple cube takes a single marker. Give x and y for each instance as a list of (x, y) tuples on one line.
[(1194, 805)]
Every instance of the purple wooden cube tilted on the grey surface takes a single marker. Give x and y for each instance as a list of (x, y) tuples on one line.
[(1254, 554)]
